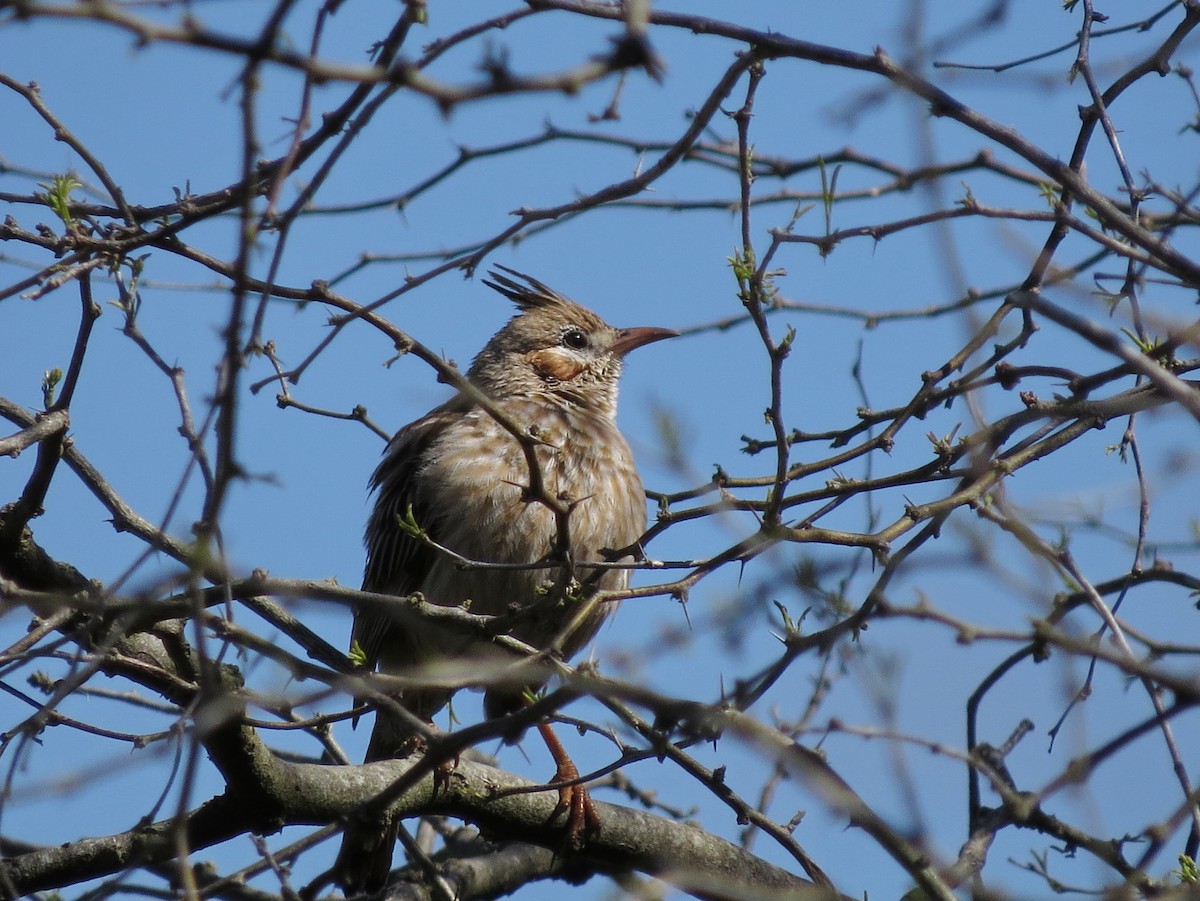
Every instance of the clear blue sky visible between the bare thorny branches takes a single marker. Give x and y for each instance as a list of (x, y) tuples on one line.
[(166, 118)]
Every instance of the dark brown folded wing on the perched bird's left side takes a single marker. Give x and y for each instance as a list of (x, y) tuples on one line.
[(397, 562)]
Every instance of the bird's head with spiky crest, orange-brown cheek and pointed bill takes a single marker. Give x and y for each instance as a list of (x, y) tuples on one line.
[(555, 349)]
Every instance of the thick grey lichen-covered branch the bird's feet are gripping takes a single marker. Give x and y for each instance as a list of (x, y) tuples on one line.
[(313, 795)]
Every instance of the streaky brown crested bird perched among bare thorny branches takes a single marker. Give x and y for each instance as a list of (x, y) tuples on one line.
[(465, 482)]
